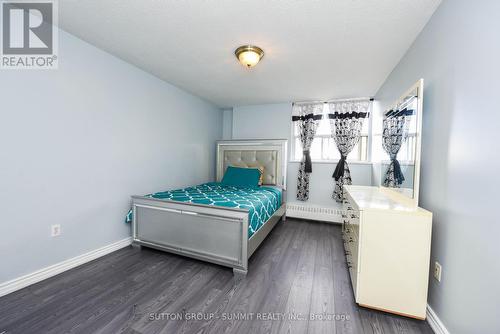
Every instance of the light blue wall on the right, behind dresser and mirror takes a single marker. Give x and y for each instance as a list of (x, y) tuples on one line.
[(458, 55)]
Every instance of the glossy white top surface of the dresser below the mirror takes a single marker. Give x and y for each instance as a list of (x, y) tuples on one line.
[(376, 198)]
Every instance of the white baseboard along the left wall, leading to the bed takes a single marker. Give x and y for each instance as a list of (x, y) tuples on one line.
[(40, 275)]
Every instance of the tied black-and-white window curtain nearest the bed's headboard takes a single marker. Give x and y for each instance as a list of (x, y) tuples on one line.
[(307, 118)]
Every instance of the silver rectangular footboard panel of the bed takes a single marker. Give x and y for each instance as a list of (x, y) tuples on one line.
[(213, 234)]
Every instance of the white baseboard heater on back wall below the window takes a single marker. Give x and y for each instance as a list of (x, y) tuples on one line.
[(313, 212)]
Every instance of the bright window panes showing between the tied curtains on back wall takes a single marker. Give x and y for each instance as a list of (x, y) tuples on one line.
[(323, 147)]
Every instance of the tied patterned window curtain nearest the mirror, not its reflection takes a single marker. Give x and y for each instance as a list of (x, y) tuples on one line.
[(346, 122)]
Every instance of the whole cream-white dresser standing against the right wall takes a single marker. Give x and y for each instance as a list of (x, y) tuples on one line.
[(387, 242)]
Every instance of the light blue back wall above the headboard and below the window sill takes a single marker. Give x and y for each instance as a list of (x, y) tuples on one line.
[(272, 121)]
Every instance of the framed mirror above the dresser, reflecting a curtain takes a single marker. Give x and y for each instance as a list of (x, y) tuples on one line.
[(399, 139)]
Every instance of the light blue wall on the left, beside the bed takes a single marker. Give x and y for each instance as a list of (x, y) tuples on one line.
[(78, 141)]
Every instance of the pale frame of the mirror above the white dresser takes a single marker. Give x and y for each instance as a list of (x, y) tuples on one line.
[(419, 87)]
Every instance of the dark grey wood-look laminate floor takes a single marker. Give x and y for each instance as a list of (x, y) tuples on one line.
[(299, 269)]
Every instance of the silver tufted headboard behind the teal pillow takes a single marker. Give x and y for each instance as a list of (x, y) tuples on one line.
[(268, 153)]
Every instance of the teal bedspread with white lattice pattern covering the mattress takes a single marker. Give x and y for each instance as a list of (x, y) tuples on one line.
[(261, 202)]
